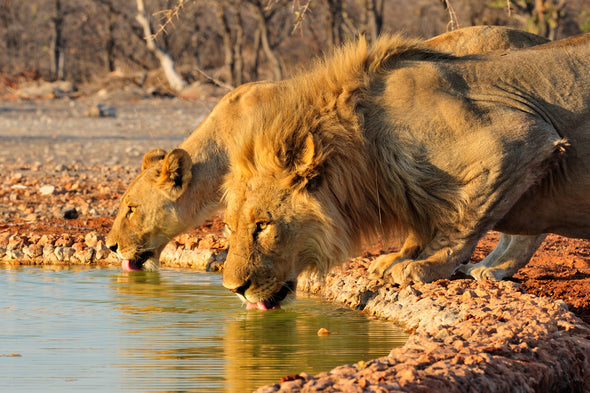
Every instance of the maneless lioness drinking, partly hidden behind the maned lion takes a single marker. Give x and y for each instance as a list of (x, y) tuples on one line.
[(177, 191)]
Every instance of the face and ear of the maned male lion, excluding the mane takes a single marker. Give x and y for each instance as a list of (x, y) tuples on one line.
[(275, 233)]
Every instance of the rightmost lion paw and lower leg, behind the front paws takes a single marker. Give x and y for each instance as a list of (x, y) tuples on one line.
[(516, 255)]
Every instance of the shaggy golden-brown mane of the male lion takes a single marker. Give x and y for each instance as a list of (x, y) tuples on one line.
[(357, 187)]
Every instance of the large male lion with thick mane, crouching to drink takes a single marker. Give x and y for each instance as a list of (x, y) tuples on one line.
[(396, 137)]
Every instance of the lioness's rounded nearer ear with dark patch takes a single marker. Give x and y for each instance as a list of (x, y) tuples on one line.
[(176, 173)]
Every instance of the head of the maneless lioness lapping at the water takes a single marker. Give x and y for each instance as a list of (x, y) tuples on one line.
[(151, 210)]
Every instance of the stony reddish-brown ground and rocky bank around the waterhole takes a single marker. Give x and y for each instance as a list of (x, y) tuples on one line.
[(63, 173)]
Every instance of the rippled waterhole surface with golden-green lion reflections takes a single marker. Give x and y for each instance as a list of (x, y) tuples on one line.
[(103, 330)]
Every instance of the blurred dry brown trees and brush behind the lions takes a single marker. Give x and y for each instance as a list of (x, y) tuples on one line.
[(234, 41)]
